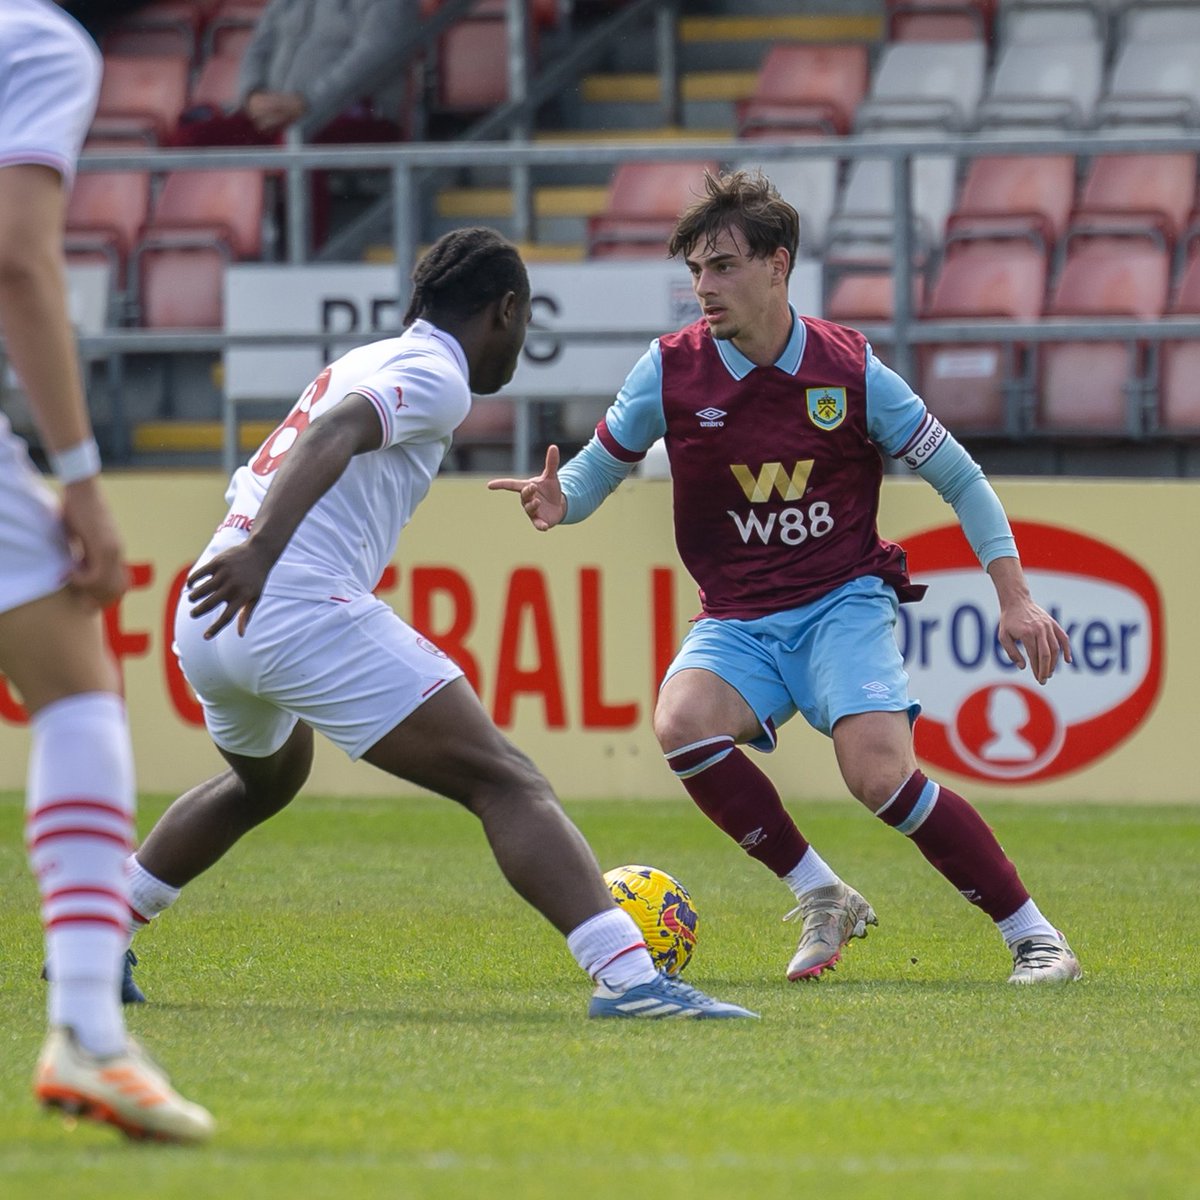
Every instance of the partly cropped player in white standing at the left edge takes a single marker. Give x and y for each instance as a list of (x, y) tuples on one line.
[(61, 563)]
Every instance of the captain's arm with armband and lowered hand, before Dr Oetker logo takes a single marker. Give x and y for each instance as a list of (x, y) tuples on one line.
[(907, 430)]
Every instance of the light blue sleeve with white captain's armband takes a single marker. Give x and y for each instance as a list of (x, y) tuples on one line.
[(898, 421)]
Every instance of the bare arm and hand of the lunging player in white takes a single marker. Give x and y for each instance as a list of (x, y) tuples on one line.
[(236, 578)]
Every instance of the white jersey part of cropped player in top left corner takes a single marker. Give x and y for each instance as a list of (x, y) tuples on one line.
[(50, 80)]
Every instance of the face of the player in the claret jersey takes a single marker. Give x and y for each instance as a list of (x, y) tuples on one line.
[(737, 293)]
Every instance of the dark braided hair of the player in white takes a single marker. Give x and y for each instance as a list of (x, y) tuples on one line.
[(464, 272)]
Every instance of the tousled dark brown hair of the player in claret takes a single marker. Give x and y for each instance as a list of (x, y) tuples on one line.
[(745, 201)]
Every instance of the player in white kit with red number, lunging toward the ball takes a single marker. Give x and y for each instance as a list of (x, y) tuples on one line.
[(280, 634)]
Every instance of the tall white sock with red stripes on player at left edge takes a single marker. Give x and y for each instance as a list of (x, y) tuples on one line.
[(80, 819)]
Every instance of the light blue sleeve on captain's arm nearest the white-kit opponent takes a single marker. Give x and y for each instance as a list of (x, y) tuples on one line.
[(633, 424)]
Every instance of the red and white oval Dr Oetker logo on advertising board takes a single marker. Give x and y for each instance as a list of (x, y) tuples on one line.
[(985, 718)]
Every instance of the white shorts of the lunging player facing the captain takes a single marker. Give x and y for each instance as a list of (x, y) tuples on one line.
[(351, 670)]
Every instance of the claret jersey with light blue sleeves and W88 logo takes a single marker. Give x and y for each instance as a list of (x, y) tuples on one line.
[(777, 470)]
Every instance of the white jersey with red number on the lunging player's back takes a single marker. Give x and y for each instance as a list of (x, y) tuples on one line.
[(419, 386)]
